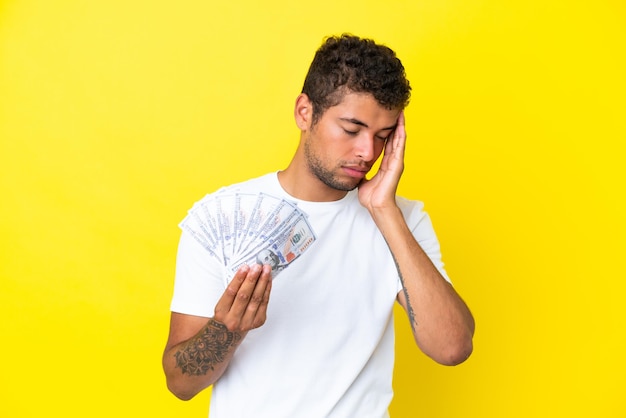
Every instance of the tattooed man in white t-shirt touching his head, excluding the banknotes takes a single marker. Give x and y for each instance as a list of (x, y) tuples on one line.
[(322, 344)]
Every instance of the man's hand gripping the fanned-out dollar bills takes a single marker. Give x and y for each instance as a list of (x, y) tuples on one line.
[(243, 306)]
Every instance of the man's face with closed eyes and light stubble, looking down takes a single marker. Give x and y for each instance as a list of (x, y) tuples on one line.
[(345, 142)]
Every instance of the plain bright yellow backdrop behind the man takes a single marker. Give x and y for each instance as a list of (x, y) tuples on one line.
[(115, 116)]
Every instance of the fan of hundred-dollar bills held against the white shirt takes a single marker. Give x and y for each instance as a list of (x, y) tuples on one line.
[(239, 228)]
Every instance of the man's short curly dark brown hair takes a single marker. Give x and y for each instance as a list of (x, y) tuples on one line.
[(348, 63)]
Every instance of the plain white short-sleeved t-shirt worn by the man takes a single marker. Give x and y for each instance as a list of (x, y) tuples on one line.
[(327, 346)]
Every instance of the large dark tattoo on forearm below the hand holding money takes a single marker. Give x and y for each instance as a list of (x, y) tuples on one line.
[(204, 351)]
